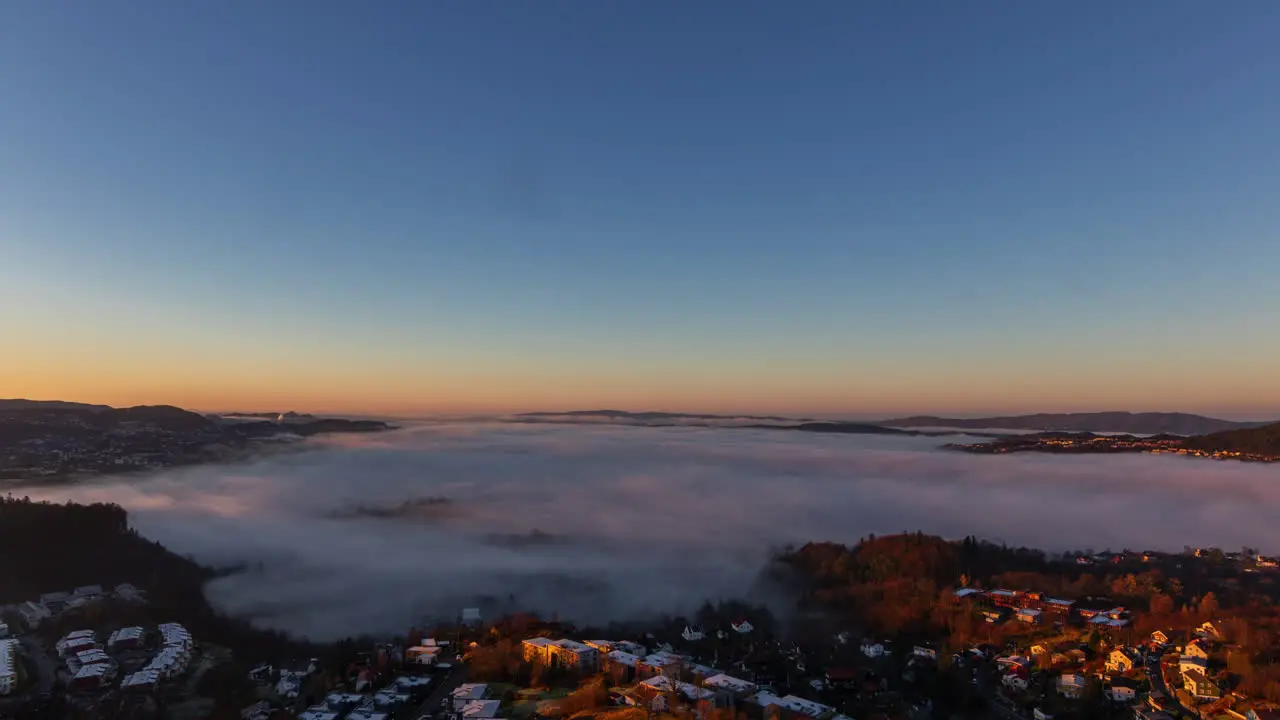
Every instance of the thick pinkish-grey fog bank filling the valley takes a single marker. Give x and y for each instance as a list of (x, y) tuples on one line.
[(371, 534)]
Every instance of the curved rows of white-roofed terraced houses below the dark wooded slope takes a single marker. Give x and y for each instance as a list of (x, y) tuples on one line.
[(92, 667)]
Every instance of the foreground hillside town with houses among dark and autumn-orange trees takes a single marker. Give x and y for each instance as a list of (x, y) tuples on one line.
[(906, 627)]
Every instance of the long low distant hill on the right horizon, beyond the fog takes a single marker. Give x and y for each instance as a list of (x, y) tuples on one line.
[(1117, 422)]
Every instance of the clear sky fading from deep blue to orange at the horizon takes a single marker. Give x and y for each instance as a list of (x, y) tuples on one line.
[(854, 208)]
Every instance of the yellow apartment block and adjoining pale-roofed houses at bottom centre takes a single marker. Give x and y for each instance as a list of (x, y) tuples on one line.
[(657, 677)]
